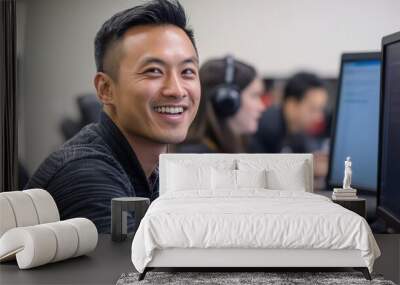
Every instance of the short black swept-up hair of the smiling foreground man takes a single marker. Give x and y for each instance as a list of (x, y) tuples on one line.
[(156, 12)]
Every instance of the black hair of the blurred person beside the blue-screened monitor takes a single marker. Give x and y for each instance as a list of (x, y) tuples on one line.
[(298, 85)]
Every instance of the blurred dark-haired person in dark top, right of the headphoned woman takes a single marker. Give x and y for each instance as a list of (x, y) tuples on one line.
[(285, 127)]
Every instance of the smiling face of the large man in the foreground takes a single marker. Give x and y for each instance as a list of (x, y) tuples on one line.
[(157, 89)]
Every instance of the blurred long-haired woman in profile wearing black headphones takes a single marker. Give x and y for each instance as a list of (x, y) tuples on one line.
[(229, 109)]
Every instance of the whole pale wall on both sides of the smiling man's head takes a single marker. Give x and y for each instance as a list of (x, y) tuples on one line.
[(278, 37)]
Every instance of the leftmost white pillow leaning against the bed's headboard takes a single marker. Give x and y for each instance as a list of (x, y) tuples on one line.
[(181, 177)]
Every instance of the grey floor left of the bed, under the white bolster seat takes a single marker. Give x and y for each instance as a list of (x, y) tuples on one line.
[(102, 266)]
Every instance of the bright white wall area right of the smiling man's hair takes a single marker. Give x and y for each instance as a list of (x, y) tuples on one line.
[(282, 36)]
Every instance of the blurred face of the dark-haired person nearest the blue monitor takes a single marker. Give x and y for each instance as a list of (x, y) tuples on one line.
[(310, 110)]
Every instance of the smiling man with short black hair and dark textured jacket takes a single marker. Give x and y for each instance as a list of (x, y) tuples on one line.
[(147, 80)]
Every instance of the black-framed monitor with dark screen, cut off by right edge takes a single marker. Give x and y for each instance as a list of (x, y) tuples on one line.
[(388, 202)]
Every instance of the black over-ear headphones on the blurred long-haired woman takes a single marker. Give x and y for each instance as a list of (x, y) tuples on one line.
[(225, 98)]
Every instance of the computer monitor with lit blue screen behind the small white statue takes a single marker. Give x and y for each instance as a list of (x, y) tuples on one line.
[(355, 126)]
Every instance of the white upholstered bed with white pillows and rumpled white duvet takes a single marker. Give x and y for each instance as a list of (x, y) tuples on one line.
[(245, 226)]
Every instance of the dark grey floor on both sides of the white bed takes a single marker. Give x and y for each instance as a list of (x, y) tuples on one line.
[(110, 259)]
